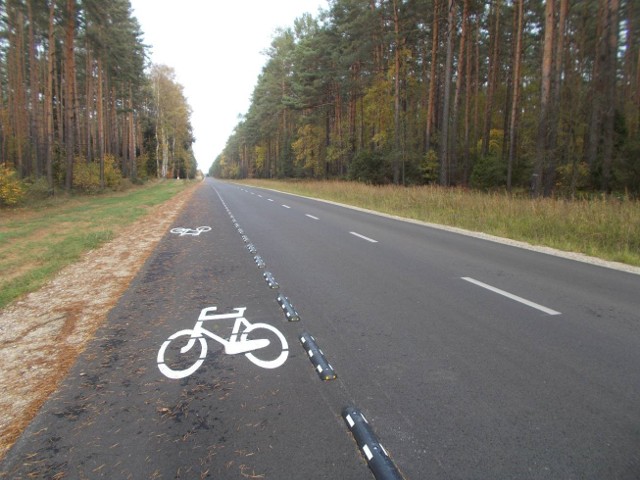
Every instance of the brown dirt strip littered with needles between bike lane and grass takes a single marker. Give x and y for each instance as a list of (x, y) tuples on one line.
[(42, 334)]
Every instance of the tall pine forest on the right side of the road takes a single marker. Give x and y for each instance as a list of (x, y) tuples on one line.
[(519, 95)]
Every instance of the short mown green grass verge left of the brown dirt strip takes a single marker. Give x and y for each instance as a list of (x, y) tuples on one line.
[(38, 240)]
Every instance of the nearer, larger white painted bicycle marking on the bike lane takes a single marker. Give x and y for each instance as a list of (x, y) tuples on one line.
[(249, 339)]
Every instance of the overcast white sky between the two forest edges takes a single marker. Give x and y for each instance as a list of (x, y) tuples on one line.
[(215, 48)]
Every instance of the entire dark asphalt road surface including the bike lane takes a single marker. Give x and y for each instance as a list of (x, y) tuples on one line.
[(470, 359)]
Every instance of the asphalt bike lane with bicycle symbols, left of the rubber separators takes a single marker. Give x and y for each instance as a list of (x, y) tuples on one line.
[(117, 416)]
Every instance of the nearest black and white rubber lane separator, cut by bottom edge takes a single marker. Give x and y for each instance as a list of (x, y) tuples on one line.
[(377, 457)]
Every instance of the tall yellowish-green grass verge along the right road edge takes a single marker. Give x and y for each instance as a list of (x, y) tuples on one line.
[(605, 227)]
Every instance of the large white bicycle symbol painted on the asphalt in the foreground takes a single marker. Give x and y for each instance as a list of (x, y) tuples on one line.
[(238, 342)]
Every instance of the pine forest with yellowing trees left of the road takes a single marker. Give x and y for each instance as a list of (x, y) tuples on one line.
[(81, 109)]
